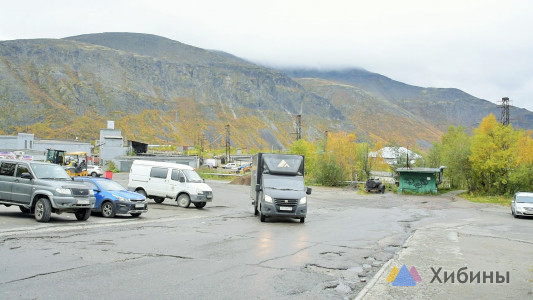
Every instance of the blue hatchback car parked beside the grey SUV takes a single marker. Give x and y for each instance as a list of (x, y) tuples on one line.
[(112, 198)]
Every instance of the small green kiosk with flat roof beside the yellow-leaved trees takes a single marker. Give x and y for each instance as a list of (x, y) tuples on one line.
[(419, 180)]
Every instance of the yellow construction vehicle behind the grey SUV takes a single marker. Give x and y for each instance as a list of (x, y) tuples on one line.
[(70, 161)]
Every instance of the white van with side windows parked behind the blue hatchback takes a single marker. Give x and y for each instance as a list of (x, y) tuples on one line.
[(160, 180)]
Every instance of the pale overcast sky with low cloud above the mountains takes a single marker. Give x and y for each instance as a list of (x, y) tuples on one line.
[(482, 47)]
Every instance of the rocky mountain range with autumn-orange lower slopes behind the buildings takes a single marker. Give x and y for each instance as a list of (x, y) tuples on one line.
[(163, 91)]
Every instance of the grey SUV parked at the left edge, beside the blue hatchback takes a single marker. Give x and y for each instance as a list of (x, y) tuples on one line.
[(42, 189)]
